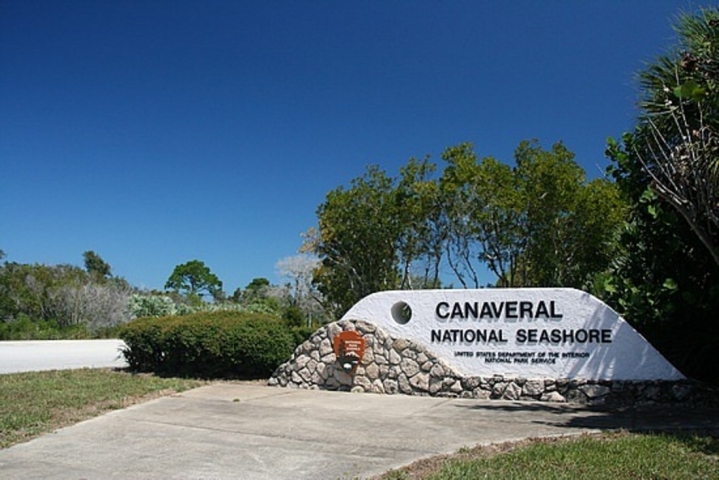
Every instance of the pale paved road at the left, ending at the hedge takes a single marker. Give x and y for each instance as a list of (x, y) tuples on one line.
[(59, 354)]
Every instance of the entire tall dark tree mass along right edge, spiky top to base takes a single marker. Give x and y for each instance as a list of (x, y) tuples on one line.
[(665, 278)]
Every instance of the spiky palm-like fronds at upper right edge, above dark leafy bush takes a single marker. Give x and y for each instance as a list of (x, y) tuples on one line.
[(677, 136)]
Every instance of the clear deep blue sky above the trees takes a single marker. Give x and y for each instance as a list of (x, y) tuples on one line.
[(159, 131)]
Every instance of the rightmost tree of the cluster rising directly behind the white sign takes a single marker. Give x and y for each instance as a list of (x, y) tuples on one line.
[(570, 224)]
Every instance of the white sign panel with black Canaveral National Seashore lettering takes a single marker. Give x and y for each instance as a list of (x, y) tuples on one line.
[(533, 332)]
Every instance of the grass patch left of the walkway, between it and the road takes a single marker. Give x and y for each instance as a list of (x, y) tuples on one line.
[(39, 402)]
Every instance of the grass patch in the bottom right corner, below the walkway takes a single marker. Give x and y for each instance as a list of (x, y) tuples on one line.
[(612, 455)]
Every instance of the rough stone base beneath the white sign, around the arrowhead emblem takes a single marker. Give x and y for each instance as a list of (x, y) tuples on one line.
[(397, 365)]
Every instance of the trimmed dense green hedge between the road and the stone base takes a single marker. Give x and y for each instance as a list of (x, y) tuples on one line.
[(209, 345)]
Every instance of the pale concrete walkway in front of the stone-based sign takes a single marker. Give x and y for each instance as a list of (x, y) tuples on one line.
[(230, 431)]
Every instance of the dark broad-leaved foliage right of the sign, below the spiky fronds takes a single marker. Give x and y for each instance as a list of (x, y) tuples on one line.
[(662, 280)]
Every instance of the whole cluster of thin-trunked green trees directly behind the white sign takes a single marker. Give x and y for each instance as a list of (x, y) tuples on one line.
[(537, 224)]
